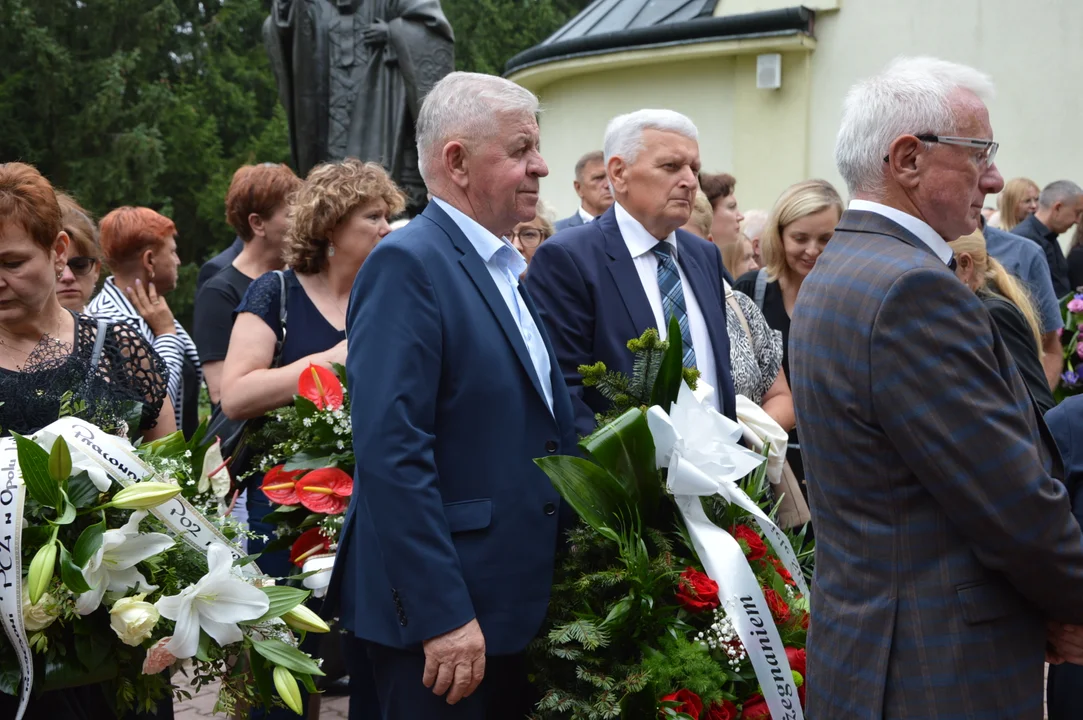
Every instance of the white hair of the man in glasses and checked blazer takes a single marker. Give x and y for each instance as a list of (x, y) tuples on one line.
[(910, 96)]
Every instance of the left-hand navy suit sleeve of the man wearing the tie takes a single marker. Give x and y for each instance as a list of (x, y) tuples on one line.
[(560, 293)]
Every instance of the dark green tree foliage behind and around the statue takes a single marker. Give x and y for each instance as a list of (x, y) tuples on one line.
[(158, 102)]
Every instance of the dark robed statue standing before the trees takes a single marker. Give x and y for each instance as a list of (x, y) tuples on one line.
[(353, 75)]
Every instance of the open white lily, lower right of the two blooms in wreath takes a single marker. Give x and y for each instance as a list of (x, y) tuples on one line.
[(216, 604)]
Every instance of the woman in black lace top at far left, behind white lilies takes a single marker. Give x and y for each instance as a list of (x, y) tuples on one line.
[(51, 357)]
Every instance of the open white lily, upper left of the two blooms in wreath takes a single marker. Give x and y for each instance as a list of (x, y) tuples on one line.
[(113, 567)]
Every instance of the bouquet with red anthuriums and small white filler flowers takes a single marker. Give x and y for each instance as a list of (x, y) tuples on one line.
[(309, 473)]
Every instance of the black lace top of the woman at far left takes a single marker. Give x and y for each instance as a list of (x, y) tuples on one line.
[(127, 385)]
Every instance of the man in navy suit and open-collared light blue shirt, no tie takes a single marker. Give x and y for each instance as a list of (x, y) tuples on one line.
[(447, 556)]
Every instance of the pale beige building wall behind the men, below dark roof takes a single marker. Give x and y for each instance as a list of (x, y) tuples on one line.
[(769, 139)]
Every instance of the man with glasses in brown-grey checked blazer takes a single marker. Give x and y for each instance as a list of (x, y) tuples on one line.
[(946, 553)]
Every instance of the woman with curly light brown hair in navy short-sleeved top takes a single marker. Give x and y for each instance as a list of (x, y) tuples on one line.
[(336, 219)]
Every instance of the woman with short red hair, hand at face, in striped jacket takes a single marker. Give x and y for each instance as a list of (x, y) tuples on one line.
[(140, 247)]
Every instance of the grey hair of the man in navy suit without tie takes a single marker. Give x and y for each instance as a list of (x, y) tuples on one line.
[(466, 107)]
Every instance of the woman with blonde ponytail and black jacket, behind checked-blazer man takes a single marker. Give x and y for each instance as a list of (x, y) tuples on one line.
[(1012, 310)]
